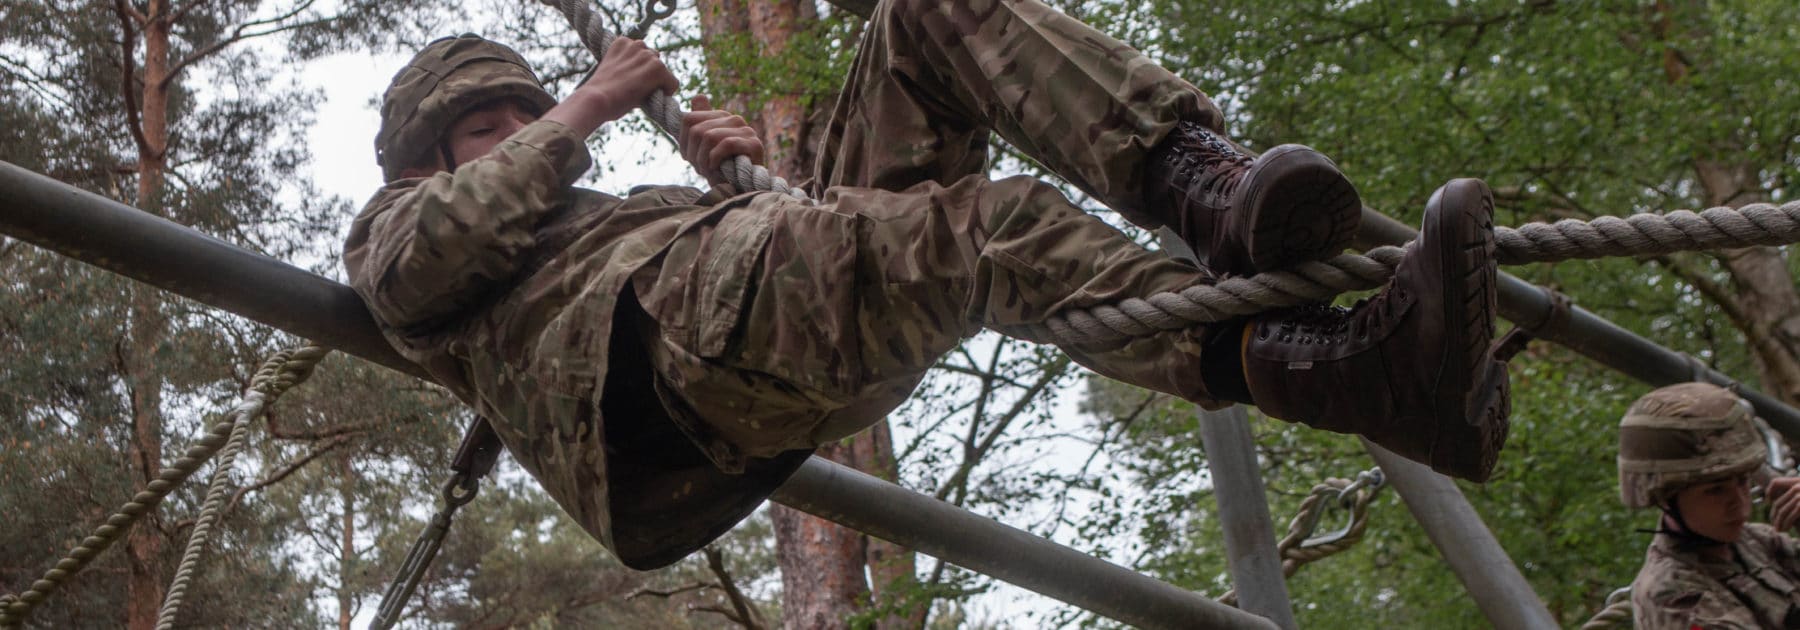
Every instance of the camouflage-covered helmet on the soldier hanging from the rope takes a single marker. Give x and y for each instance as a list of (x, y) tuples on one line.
[(440, 84)]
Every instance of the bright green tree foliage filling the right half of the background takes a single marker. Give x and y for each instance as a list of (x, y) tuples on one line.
[(1569, 111)]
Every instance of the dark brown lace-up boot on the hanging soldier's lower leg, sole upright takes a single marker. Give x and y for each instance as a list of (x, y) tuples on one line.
[(1410, 368)]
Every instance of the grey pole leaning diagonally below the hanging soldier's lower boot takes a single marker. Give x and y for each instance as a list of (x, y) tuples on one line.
[(1466, 544)]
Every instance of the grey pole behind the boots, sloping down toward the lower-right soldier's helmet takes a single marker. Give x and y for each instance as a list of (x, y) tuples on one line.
[(1594, 337)]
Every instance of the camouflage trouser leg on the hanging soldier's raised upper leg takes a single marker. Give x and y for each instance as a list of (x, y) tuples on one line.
[(933, 78)]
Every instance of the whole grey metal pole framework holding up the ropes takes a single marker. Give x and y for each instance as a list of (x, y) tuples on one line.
[(181, 260)]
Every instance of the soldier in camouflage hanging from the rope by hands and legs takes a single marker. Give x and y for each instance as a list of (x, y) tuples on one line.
[(663, 361)]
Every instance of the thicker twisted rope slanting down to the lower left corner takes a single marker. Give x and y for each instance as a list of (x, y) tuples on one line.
[(15, 609)]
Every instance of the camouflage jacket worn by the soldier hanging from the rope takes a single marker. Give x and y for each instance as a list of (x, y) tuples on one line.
[(501, 280)]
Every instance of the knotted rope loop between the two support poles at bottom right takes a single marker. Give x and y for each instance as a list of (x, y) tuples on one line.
[(1300, 548)]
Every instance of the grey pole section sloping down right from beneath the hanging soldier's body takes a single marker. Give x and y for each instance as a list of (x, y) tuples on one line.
[(870, 505)]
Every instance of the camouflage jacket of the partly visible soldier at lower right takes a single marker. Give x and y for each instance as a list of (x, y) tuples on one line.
[(1756, 589)]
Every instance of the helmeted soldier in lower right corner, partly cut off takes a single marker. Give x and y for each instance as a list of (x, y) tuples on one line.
[(1693, 453)]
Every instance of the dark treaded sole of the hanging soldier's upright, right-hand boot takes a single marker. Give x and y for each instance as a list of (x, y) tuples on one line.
[(1473, 391)]
